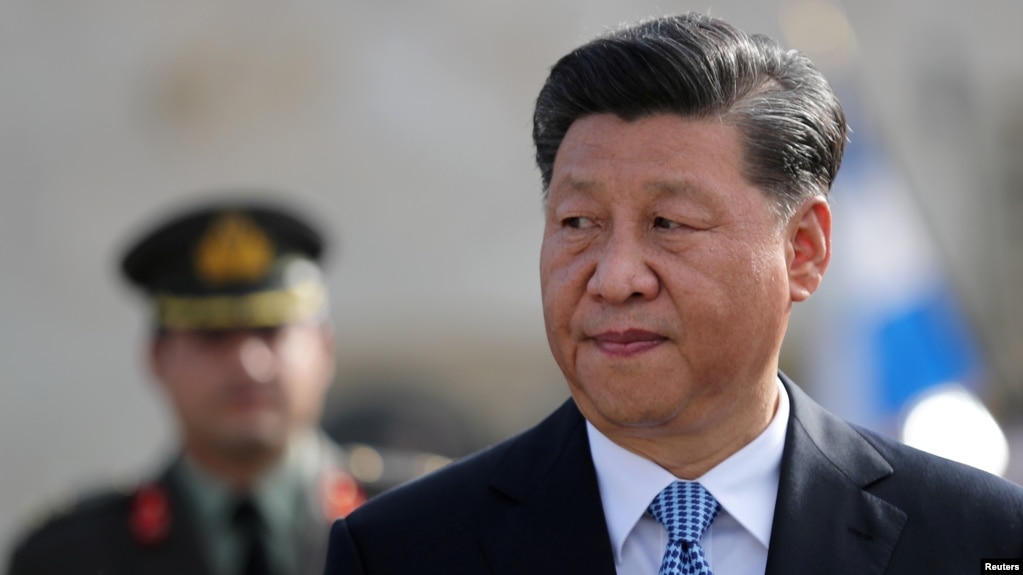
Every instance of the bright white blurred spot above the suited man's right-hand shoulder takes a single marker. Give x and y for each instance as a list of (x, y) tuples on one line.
[(951, 422)]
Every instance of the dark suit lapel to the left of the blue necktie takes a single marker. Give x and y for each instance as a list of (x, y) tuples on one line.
[(551, 517)]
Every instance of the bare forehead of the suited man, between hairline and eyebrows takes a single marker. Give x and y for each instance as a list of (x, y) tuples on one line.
[(664, 153)]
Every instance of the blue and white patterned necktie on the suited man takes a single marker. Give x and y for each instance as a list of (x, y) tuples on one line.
[(686, 510)]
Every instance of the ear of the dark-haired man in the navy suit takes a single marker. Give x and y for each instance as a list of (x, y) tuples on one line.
[(810, 248)]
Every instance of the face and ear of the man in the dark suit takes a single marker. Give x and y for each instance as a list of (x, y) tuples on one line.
[(668, 279)]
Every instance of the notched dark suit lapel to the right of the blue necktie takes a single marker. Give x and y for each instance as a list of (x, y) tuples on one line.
[(825, 521)]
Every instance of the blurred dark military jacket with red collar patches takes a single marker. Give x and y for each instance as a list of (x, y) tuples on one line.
[(170, 525)]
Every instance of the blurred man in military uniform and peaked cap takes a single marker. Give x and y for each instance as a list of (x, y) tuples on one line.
[(243, 349)]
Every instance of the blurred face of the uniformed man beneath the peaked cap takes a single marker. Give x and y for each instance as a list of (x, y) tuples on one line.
[(241, 393)]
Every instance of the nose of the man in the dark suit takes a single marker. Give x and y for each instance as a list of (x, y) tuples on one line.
[(622, 272)]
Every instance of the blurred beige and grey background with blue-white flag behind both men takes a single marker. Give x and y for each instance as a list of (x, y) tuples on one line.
[(405, 128)]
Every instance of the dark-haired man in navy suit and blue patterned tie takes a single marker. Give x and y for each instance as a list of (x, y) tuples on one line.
[(687, 167)]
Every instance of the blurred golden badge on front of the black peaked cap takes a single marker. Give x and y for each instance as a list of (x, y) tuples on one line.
[(235, 249)]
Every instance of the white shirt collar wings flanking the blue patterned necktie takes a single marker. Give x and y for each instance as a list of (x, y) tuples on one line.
[(745, 484)]
